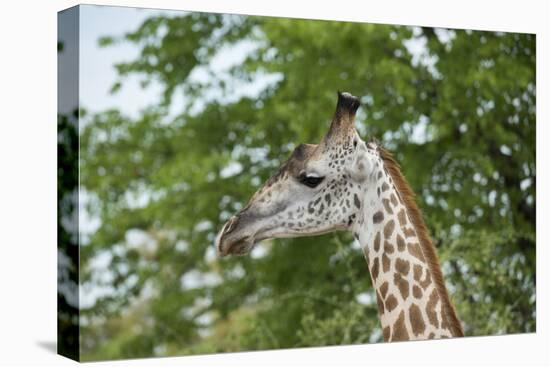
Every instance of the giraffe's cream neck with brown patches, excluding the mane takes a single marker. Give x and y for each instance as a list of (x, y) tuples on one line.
[(410, 305)]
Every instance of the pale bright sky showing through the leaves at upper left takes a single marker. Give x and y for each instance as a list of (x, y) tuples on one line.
[(98, 74)]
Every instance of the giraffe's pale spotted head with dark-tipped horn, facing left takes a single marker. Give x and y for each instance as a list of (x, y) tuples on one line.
[(316, 191)]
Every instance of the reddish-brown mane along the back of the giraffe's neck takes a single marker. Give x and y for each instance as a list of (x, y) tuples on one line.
[(415, 215)]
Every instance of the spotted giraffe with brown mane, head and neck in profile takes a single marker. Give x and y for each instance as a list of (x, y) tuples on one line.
[(345, 183)]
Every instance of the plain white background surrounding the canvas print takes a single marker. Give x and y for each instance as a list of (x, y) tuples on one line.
[(28, 181)]
